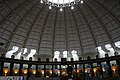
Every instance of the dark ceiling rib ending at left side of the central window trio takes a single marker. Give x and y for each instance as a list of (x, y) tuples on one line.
[(54, 32)]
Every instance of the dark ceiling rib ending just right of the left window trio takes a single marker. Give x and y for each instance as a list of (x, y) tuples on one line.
[(41, 34)]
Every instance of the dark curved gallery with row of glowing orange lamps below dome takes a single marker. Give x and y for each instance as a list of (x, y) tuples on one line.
[(107, 67)]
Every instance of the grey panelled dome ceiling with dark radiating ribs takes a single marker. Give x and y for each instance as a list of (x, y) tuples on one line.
[(30, 24)]
